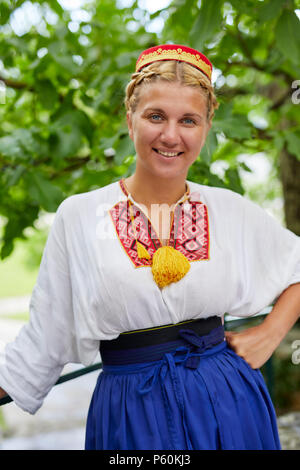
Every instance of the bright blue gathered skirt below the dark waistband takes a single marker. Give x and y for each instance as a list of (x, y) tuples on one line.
[(208, 400)]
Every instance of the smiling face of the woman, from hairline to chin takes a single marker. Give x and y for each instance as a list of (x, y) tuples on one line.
[(168, 128)]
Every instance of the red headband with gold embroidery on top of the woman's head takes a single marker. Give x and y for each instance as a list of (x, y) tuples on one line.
[(175, 52)]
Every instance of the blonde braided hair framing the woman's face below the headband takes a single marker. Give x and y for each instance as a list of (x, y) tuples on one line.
[(171, 71)]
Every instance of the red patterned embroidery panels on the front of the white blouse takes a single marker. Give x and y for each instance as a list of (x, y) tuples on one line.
[(189, 232)]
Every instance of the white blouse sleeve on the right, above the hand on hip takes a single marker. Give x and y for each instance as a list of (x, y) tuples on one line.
[(269, 259)]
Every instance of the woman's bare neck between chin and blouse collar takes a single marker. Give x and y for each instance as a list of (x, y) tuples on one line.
[(149, 191)]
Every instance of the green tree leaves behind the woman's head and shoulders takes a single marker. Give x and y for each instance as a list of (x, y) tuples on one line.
[(65, 79)]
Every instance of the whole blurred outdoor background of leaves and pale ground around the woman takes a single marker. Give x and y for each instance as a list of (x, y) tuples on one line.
[(64, 66)]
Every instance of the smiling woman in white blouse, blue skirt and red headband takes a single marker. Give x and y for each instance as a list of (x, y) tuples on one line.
[(146, 267)]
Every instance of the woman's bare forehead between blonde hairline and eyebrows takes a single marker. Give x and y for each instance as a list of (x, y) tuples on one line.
[(171, 96)]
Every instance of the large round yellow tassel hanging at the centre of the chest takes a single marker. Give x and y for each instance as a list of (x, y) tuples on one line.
[(169, 265)]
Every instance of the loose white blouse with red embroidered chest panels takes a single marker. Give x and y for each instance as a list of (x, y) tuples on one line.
[(92, 286)]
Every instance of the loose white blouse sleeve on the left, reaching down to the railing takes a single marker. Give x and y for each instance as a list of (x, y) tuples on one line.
[(32, 363)]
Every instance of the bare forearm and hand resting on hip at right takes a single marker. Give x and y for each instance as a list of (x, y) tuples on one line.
[(257, 344)]
